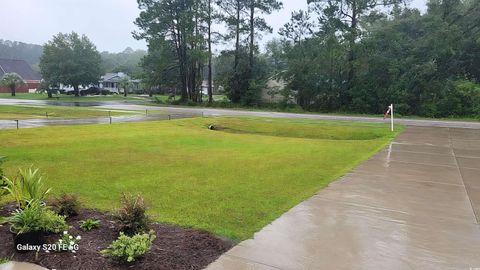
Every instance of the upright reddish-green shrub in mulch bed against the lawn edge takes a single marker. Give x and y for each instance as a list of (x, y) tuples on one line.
[(132, 218)]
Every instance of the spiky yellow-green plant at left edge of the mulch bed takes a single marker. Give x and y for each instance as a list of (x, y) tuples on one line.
[(26, 187)]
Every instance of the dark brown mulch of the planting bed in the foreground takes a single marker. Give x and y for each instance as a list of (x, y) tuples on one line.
[(174, 248)]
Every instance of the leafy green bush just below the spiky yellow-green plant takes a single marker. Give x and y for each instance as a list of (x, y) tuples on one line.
[(36, 217)]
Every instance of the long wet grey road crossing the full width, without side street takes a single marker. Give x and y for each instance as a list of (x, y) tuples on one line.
[(131, 105)]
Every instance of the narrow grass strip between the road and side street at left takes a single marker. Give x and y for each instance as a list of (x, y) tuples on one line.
[(28, 112)]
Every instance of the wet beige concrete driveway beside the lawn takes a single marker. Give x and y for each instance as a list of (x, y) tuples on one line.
[(412, 206)]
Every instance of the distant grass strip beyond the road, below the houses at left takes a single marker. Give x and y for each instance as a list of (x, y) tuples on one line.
[(71, 98)]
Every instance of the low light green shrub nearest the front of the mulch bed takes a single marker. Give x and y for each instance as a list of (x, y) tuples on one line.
[(128, 248)]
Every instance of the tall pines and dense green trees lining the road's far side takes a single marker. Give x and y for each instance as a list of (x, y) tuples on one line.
[(339, 55)]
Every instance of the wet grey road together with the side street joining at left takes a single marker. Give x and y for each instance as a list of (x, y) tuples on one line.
[(189, 111)]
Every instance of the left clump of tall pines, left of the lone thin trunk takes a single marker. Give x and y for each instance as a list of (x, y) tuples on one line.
[(175, 30)]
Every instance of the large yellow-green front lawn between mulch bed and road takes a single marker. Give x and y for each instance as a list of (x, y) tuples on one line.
[(231, 182)]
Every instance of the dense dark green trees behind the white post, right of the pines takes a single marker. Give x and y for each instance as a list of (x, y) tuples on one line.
[(427, 64)]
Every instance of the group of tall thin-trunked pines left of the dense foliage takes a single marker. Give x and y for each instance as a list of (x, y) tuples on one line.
[(180, 38)]
